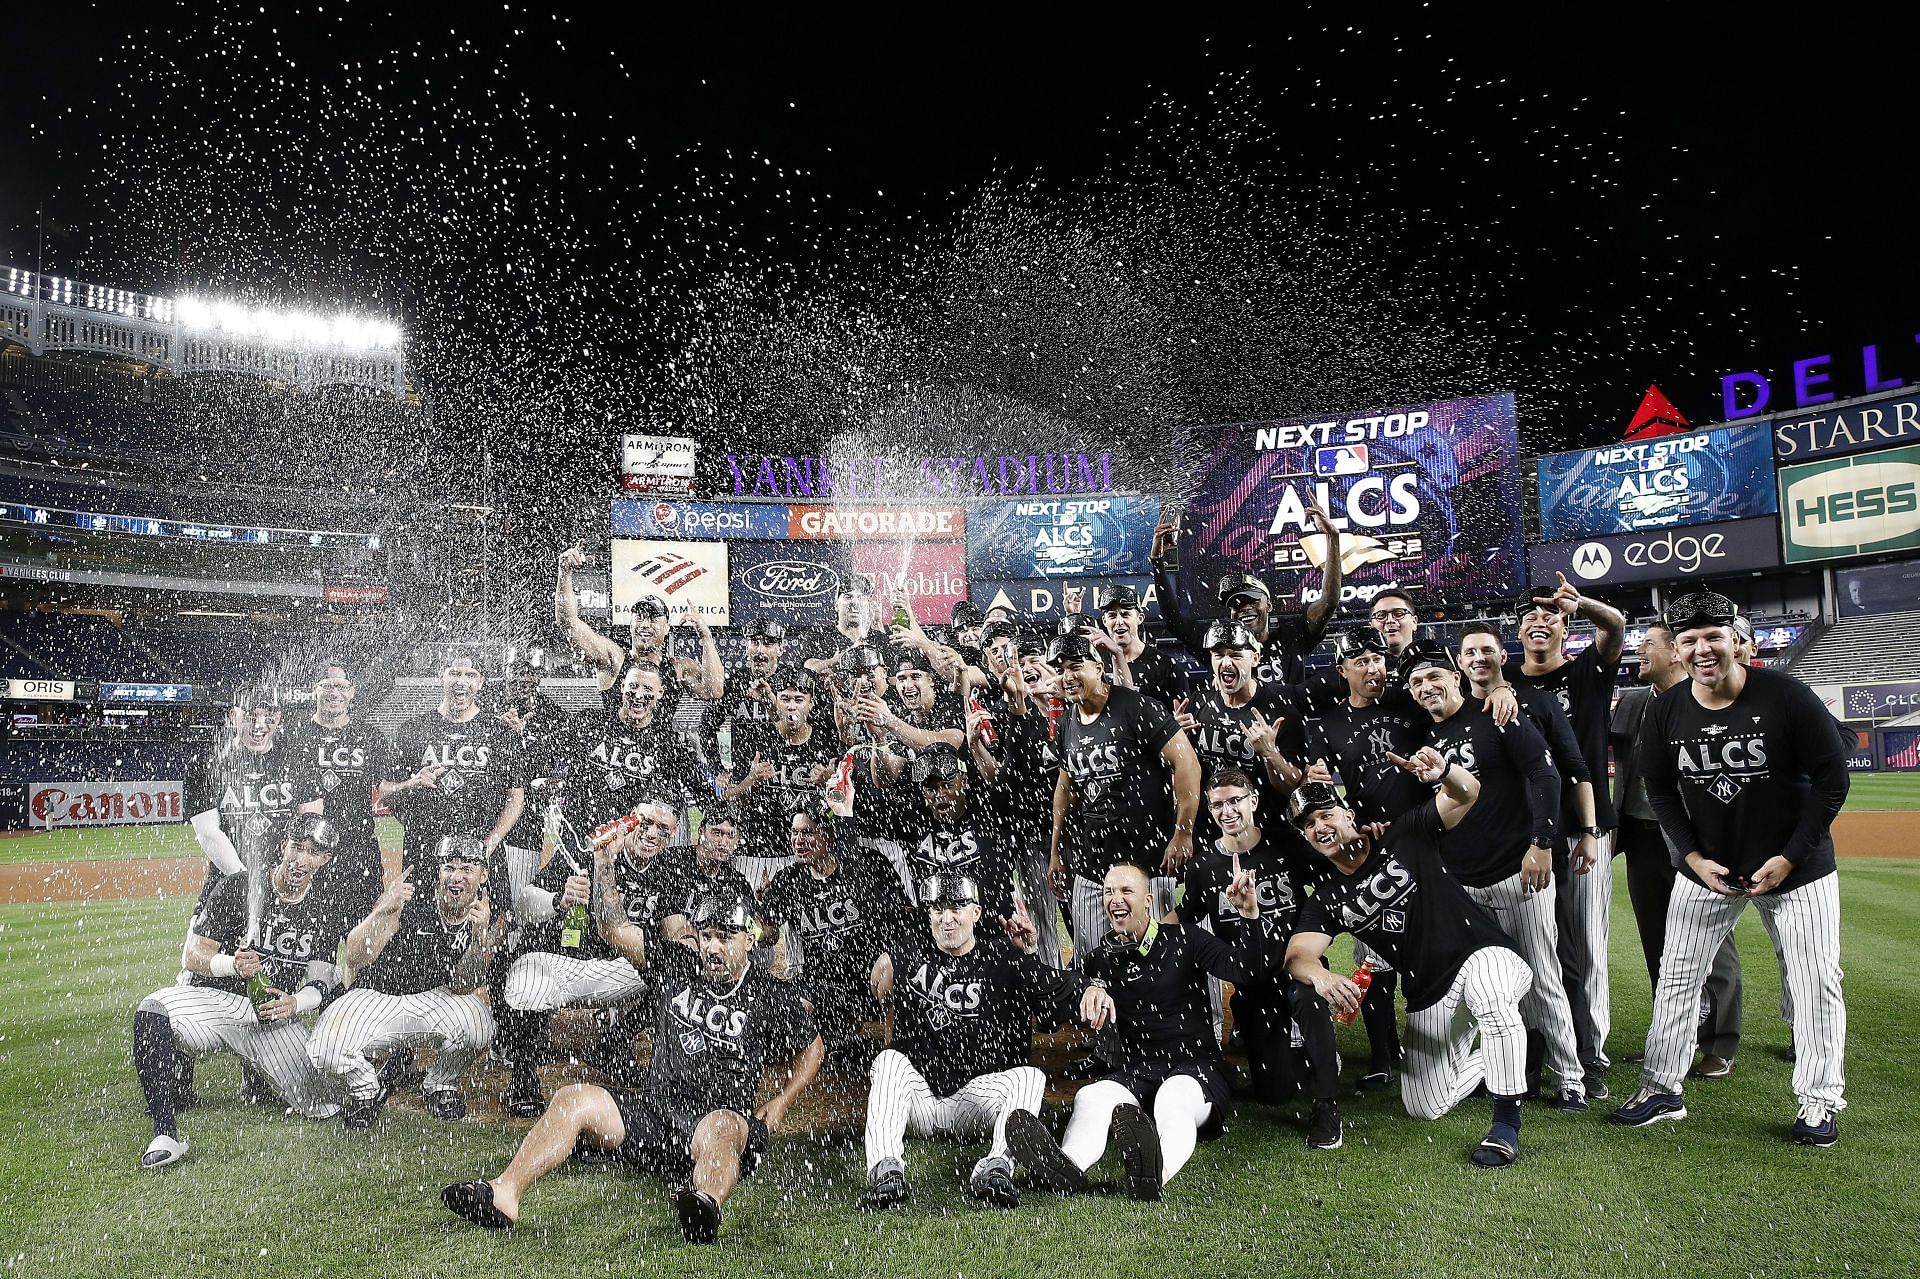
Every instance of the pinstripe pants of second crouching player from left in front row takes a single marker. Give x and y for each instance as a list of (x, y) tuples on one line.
[(360, 1023)]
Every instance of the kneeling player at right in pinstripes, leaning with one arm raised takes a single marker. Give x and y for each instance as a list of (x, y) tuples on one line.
[(1460, 973)]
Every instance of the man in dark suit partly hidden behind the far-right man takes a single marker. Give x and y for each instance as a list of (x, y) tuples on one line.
[(1650, 871)]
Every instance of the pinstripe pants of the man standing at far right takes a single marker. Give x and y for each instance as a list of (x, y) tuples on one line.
[(1806, 932)]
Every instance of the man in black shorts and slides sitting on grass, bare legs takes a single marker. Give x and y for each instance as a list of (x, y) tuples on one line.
[(692, 1121)]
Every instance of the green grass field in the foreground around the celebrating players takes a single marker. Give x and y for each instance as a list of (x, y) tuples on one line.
[(264, 1195)]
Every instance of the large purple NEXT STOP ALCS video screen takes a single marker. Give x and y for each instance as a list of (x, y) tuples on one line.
[(1428, 498)]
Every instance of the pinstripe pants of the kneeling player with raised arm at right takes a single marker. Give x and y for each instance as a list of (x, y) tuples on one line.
[(1445, 1063)]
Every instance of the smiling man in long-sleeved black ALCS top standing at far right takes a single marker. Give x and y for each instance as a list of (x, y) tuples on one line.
[(1744, 773)]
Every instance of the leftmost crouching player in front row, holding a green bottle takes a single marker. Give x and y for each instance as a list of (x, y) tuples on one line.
[(289, 940)]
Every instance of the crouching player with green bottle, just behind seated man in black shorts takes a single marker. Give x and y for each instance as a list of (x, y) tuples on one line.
[(565, 969)]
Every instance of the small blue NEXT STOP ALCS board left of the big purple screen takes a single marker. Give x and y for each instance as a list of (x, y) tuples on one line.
[(1061, 537)]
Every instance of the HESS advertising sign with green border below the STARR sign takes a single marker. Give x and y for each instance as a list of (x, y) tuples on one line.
[(1863, 504)]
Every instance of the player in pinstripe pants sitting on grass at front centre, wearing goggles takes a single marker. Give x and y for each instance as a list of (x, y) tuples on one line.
[(963, 1040)]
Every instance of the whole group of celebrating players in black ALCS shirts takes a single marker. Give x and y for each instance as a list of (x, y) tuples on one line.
[(867, 852)]
